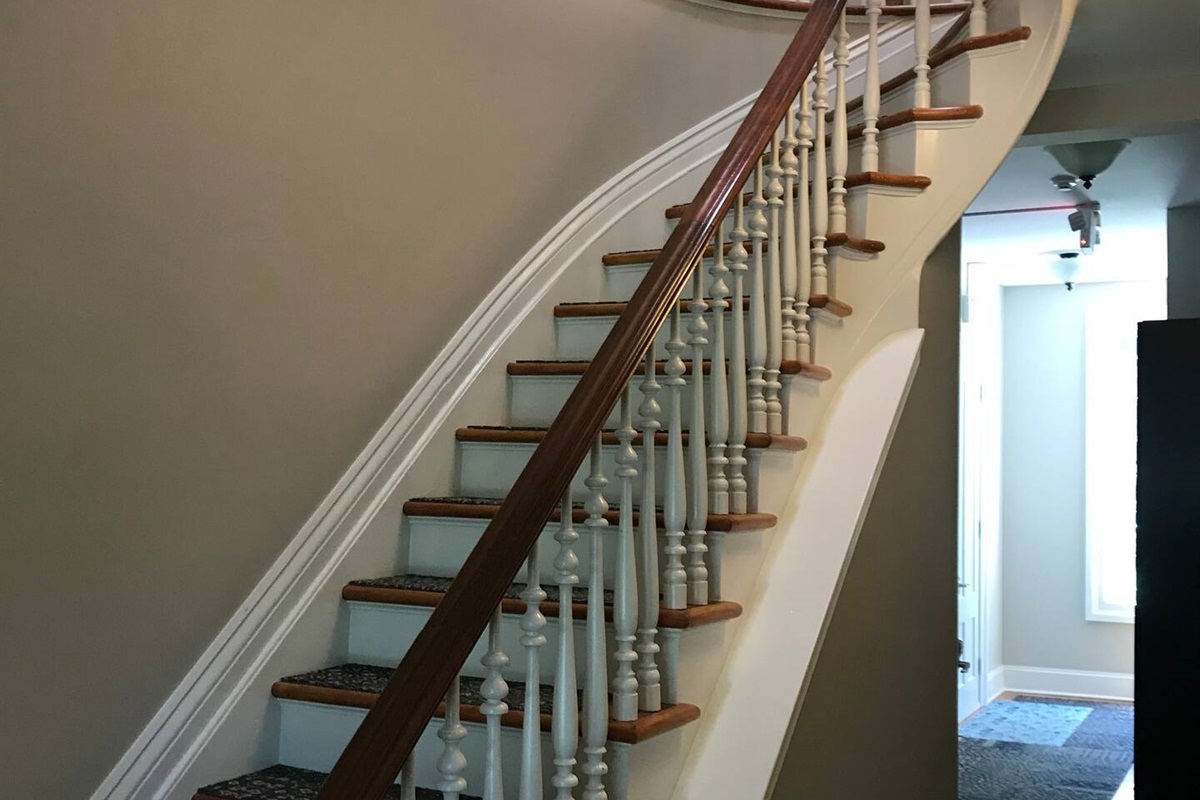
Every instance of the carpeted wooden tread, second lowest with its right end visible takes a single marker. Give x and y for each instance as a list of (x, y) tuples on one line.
[(428, 592)]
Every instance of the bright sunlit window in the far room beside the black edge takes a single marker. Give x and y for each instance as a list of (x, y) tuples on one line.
[(1111, 437)]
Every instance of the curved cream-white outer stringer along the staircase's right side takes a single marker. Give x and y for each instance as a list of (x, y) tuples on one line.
[(736, 745)]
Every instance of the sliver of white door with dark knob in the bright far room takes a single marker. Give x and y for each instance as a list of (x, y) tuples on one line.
[(970, 682)]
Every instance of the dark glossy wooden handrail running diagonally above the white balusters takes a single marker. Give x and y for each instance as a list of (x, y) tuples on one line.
[(391, 731)]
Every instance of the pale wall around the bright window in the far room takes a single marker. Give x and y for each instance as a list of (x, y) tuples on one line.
[(1043, 550)]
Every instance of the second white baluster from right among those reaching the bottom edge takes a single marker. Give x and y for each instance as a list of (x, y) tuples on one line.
[(565, 727)]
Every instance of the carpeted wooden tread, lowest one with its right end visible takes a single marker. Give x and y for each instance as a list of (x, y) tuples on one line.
[(359, 687)]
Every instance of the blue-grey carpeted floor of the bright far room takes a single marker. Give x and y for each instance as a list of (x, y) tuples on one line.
[(1046, 749)]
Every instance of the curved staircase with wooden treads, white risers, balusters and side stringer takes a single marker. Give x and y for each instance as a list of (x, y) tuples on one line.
[(622, 659)]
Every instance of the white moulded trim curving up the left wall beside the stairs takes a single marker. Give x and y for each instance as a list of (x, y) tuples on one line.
[(171, 743)]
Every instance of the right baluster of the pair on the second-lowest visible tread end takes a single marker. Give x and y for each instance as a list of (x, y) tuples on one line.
[(698, 504)]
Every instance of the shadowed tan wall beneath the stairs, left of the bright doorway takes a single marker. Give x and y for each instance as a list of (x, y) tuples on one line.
[(879, 715)]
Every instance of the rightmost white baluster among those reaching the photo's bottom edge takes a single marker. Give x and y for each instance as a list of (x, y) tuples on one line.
[(596, 688)]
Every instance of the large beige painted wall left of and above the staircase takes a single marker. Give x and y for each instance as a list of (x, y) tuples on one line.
[(235, 233)]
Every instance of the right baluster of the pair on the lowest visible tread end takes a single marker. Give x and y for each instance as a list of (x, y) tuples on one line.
[(650, 681)]
